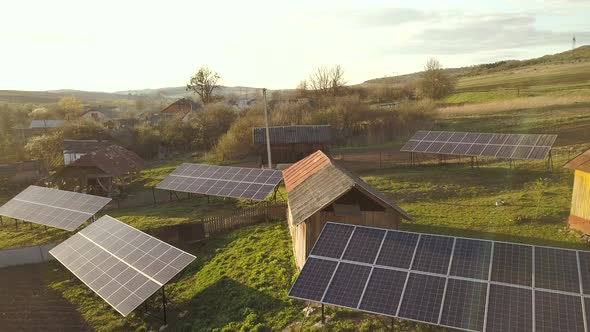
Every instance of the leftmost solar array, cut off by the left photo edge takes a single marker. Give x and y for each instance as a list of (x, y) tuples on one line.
[(52, 207)]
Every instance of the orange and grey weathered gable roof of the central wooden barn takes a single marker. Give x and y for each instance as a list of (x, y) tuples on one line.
[(322, 184)]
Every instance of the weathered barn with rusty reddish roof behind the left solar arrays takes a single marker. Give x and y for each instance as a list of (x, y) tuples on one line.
[(96, 170)]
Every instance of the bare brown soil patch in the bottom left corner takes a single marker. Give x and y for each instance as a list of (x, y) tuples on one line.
[(26, 304)]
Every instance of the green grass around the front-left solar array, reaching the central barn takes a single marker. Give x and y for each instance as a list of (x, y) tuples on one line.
[(239, 282)]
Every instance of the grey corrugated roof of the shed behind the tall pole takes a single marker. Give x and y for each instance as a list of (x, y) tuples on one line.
[(294, 134)]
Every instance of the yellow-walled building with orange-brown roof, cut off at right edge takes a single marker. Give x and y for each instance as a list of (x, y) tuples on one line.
[(580, 211)]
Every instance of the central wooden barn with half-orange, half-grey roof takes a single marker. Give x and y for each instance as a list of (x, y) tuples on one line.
[(321, 191)]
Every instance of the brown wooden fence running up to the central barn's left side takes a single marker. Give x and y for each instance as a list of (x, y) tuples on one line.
[(250, 216)]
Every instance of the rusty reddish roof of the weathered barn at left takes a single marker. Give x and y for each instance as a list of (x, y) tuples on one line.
[(113, 160)]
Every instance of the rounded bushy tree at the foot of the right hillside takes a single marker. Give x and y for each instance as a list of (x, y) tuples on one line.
[(435, 83)]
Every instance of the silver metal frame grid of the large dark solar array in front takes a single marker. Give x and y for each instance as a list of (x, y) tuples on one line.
[(488, 282)]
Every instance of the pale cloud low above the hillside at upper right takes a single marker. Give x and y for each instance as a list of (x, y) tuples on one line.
[(484, 33)]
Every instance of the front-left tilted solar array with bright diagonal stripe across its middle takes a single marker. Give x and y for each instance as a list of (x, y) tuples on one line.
[(121, 264)]
